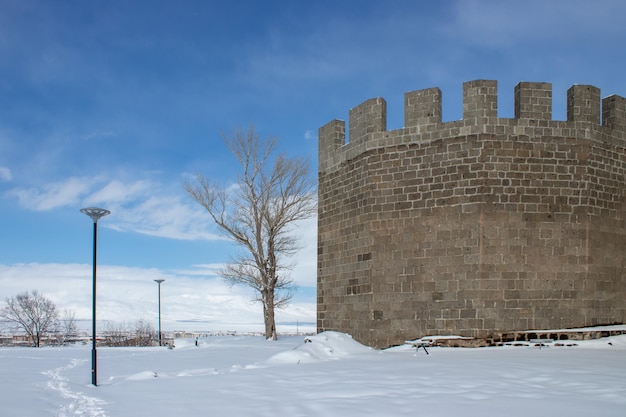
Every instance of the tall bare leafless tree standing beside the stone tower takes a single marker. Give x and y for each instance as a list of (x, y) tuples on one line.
[(258, 214)]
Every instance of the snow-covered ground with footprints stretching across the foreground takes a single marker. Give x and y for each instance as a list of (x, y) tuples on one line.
[(331, 376)]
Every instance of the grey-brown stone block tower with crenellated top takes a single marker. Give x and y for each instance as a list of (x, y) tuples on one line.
[(473, 227)]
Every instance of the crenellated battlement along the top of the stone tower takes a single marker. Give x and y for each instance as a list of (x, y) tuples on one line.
[(423, 119)]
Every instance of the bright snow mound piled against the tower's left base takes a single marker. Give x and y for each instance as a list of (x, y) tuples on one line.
[(324, 346)]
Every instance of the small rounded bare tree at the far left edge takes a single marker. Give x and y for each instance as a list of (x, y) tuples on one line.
[(33, 312)]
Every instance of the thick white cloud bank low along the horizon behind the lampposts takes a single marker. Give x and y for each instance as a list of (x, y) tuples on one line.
[(125, 294)]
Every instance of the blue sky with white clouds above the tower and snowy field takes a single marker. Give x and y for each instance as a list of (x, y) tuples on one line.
[(115, 103)]
